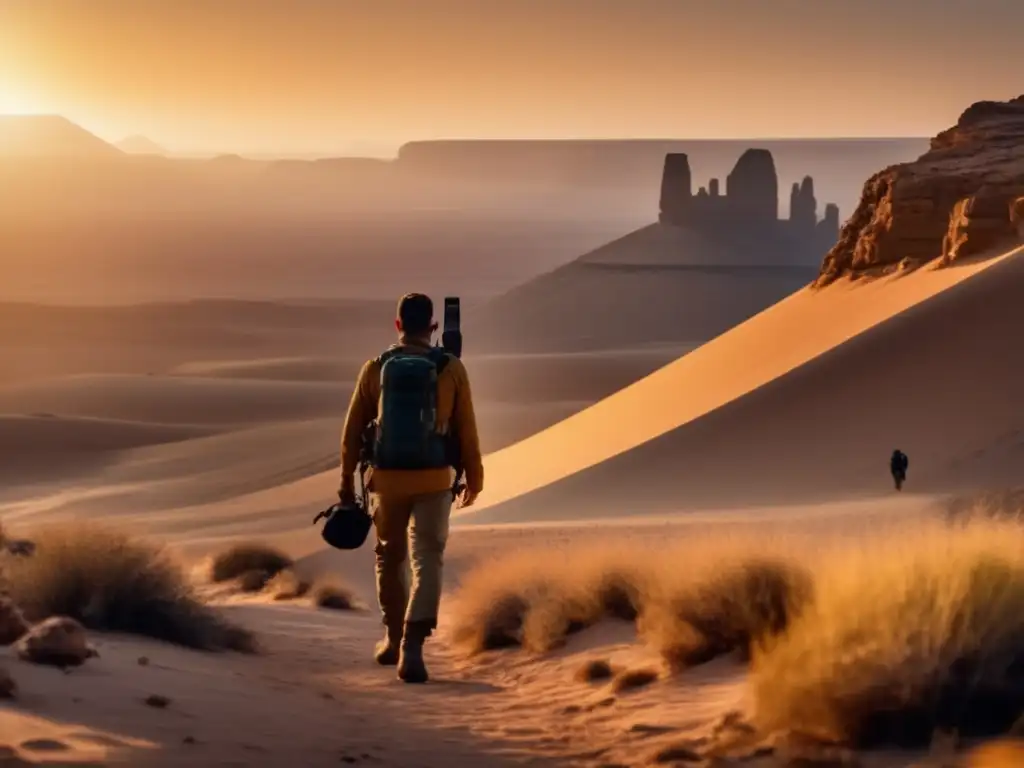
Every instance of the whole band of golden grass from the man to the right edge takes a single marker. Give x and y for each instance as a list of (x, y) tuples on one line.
[(882, 637)]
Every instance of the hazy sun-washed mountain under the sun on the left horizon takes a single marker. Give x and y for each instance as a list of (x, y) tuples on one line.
[(50, 136)]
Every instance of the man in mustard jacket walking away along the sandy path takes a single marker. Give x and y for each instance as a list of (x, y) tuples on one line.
[(414, 403)]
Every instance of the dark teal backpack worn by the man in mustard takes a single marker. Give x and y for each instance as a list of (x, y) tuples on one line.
[(405, 435)]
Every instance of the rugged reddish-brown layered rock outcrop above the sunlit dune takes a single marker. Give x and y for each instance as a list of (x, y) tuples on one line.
[(962, 199)]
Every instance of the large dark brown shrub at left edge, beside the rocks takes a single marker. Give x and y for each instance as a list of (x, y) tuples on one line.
[(110, 582)]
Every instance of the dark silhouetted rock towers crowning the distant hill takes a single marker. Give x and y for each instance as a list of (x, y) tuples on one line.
[(750, 204)]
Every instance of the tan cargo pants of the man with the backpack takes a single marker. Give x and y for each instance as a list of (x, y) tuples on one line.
[(413, 529)]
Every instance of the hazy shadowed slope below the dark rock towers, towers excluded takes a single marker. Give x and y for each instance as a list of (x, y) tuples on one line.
[(659, 284)]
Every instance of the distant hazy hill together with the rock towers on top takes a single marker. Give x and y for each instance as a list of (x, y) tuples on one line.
[(711, 263)]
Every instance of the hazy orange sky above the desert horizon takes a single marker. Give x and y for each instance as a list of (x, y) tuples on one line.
[(306, 76)]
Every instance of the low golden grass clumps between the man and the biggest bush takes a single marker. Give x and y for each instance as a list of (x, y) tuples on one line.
[(693, 603)]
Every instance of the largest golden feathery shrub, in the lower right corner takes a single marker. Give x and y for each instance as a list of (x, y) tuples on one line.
[(905, 638)]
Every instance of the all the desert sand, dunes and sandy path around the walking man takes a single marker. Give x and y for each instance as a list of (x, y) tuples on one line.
[(208, 453)]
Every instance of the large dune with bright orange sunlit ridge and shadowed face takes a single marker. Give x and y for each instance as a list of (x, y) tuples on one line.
[(866, 368)]
